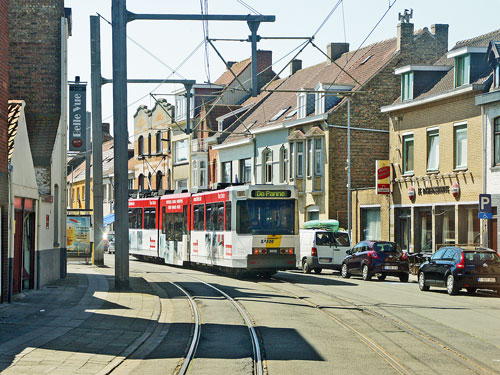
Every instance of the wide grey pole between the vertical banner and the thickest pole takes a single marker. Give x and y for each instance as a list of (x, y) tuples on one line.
[(95, 82)]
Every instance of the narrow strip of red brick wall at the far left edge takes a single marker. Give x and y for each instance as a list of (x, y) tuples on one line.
[(4, 187)]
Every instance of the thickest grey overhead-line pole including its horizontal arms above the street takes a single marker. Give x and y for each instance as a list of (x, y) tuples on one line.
[(120, 18)]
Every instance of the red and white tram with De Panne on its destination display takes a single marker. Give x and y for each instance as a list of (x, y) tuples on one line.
[(239, 228)]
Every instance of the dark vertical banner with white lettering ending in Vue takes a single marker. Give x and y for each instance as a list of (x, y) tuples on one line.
[(77, 117)]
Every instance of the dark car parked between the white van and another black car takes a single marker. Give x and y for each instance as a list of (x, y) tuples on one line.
[(381, 258)]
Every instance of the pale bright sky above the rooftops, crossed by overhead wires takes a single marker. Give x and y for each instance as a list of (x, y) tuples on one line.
[(157, 48)]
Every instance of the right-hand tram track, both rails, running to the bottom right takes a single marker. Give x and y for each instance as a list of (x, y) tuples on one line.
[(471, 365)]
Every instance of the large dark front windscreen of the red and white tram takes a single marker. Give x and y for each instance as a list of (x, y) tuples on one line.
[(266, 216)]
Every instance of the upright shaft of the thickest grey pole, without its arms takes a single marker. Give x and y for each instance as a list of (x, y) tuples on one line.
[(119, 21)]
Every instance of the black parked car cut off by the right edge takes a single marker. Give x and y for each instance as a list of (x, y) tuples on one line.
[(455, 268)]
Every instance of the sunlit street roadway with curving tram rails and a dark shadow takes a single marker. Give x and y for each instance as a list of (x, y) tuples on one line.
[(320, 324)]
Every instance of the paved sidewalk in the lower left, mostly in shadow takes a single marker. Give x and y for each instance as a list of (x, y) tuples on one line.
[(77, 325)]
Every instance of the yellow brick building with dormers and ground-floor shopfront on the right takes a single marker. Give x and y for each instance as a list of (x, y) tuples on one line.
[(435, 152)]
